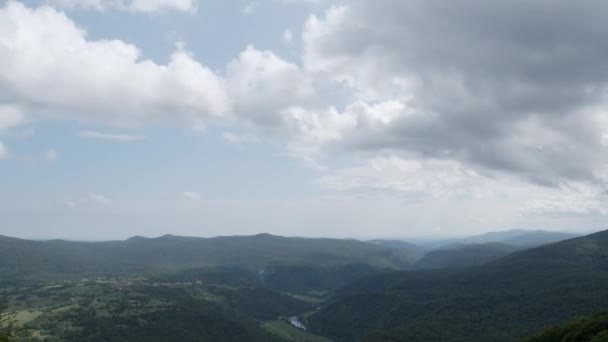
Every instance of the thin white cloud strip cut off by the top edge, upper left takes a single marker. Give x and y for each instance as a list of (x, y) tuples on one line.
[(145, 6)]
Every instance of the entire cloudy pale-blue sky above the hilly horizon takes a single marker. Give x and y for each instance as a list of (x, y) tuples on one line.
[(358, 119)]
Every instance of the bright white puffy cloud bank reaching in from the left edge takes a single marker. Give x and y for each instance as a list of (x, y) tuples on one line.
[(47, 61)]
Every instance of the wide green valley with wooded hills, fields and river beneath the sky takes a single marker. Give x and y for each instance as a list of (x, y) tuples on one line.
[(187, 289)]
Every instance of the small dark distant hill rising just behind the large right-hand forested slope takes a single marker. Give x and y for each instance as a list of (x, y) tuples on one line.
[(460, 256)]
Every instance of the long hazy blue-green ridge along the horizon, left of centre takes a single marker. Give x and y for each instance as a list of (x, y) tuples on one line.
[(26, 259)]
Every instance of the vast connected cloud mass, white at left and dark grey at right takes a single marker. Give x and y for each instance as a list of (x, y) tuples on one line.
[(480, 96)]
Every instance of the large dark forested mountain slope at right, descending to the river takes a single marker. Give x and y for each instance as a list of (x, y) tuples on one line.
[(503, 300)]
